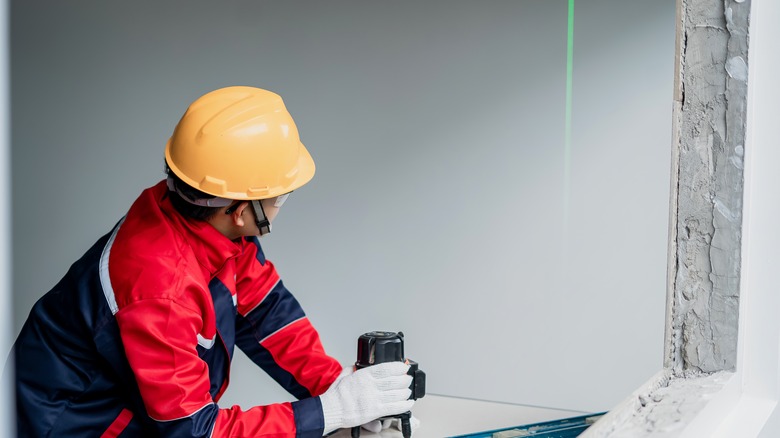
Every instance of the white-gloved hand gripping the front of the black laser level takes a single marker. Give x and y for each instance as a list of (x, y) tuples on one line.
[(356, 398)]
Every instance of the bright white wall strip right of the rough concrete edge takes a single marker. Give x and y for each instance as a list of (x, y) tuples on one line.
[(759, 359)]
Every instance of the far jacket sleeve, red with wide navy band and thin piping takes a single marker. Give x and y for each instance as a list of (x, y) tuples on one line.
[(274, 332)]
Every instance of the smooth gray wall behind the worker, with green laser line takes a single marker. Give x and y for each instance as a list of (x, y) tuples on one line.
[(441, 206)]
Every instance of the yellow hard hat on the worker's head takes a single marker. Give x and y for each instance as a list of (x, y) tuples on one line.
[(239, 143)]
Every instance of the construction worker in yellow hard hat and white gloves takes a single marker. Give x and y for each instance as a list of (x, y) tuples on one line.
[(137, 339)]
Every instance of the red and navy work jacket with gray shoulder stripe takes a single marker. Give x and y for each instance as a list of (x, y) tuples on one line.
[(137, 338)]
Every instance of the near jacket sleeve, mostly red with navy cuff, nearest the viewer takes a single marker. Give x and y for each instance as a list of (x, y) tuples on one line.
[(160, 338)]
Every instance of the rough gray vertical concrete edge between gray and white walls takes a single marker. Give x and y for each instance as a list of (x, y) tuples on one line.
[(709, 123)]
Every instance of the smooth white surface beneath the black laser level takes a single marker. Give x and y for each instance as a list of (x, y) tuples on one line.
[(442, 416)]
